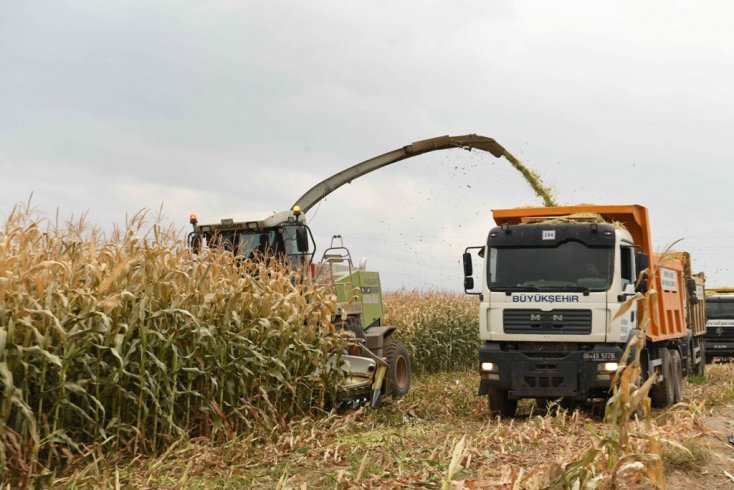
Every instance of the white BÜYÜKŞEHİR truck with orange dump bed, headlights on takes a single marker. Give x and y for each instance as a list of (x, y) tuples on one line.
[(552, 285)]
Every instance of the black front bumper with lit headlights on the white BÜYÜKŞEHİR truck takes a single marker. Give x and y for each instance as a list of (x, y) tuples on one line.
[(526, 375)]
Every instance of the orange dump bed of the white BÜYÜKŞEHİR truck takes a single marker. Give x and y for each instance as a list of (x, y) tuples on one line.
[(668, 318)]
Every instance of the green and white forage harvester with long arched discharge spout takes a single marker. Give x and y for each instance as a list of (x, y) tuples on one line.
[(285, 234)]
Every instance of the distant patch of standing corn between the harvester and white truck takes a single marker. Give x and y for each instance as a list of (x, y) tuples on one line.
[(440, 329)]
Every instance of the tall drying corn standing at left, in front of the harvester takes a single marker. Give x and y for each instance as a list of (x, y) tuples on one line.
[(128, 343)]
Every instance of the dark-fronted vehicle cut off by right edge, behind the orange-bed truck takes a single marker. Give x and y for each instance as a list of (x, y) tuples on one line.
[(719, 339)]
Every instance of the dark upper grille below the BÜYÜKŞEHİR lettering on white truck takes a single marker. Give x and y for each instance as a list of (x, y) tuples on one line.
[(559, 322)]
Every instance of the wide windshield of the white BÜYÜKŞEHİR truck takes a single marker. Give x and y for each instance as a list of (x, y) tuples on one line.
[(570, 266)]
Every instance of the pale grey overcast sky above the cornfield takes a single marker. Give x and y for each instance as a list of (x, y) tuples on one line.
[(230, 108)]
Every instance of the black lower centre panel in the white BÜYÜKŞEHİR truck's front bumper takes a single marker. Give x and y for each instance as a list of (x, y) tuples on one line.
[(545, 378)]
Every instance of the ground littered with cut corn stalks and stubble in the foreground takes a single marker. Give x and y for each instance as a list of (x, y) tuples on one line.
[(441, 436)]
